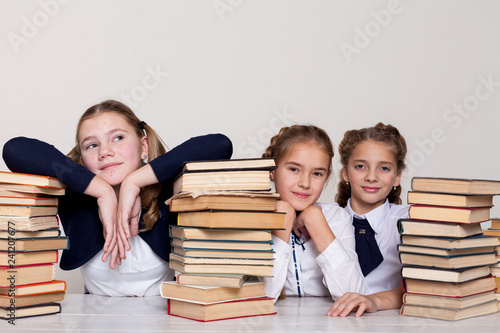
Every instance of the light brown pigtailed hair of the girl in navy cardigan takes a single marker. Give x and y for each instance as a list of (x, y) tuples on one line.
[(150, 193)]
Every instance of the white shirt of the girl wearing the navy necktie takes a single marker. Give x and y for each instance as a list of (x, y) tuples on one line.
[(383, 220)]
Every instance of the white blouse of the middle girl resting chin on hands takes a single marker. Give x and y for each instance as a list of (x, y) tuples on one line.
[(301, 271)]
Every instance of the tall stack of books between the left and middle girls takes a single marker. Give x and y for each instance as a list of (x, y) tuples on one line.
[(226, 210)]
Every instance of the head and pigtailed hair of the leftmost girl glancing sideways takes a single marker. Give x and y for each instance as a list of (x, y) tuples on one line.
[(112, 142)]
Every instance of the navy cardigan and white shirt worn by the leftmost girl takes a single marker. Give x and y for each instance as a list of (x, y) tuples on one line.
[(79, 212)]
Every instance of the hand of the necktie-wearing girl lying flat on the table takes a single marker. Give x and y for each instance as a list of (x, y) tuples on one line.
[(352, 302)]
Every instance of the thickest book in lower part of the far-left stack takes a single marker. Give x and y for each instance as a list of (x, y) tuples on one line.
[(29, 274)]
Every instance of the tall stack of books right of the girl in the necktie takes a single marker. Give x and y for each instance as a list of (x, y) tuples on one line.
[(446, 258)]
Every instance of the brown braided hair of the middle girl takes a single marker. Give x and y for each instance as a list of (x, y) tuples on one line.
[(288, 137)]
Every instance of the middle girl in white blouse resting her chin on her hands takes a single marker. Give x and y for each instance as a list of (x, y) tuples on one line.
[(314, 254)]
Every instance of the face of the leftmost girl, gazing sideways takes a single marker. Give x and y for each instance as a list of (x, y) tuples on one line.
[(110, 147)]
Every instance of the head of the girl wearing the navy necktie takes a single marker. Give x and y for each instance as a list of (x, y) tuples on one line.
[(373, 159)]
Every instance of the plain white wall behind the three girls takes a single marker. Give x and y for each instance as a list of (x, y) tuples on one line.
[(248, 67)]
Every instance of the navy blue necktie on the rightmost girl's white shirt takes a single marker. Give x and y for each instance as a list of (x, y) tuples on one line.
[(369, 255)]
